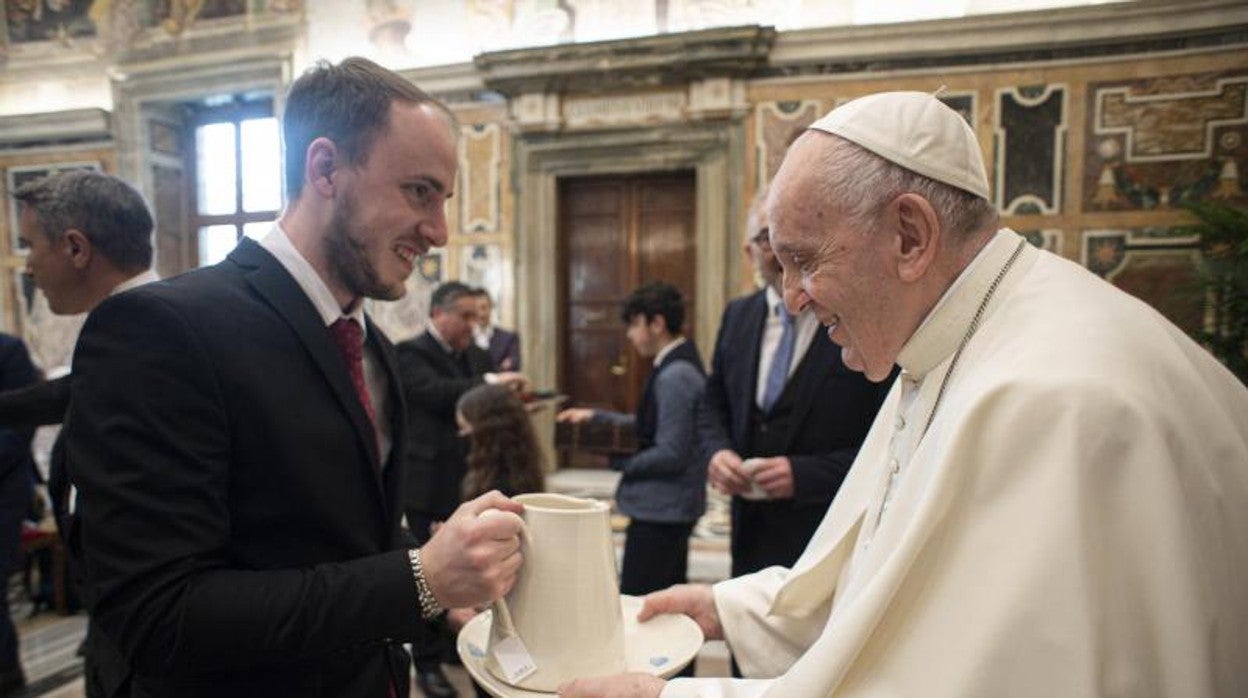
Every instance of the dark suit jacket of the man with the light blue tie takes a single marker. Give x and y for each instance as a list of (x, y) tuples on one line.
[(833, 410)]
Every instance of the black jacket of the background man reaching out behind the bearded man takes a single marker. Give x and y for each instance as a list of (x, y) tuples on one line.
[(432, 384)]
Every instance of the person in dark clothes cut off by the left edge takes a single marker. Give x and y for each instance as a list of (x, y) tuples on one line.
[(17, 489)]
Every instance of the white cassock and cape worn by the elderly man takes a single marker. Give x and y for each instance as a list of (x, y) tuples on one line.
[(1073, 523)]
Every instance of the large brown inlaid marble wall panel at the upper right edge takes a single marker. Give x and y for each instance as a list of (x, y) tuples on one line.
[(1165, 142)]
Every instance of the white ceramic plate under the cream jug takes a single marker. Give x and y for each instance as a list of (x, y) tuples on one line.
[(662, 646)]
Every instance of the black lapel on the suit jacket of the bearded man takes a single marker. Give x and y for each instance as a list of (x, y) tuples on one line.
[(281, 292)]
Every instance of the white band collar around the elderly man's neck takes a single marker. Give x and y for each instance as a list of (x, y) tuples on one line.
[(945, 325)]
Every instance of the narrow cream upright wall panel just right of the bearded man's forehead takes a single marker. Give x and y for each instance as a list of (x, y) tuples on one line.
[(481, 158)]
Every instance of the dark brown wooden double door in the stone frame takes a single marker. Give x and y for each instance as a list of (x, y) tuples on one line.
[(616, 234)]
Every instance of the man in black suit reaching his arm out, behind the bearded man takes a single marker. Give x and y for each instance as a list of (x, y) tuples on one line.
[(437, 368)]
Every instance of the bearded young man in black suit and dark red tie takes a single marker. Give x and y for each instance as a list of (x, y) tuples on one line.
[(236, 433)]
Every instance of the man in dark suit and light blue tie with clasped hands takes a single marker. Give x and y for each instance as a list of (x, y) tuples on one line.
[(779, 434)]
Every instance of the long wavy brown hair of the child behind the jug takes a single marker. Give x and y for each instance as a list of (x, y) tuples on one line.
[(504, 449)]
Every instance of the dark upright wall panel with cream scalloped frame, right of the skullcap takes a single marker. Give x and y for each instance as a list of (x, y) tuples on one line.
[(1030, 139)]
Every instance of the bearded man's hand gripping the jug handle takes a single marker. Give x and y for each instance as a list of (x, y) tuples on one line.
[(472, 560)]
